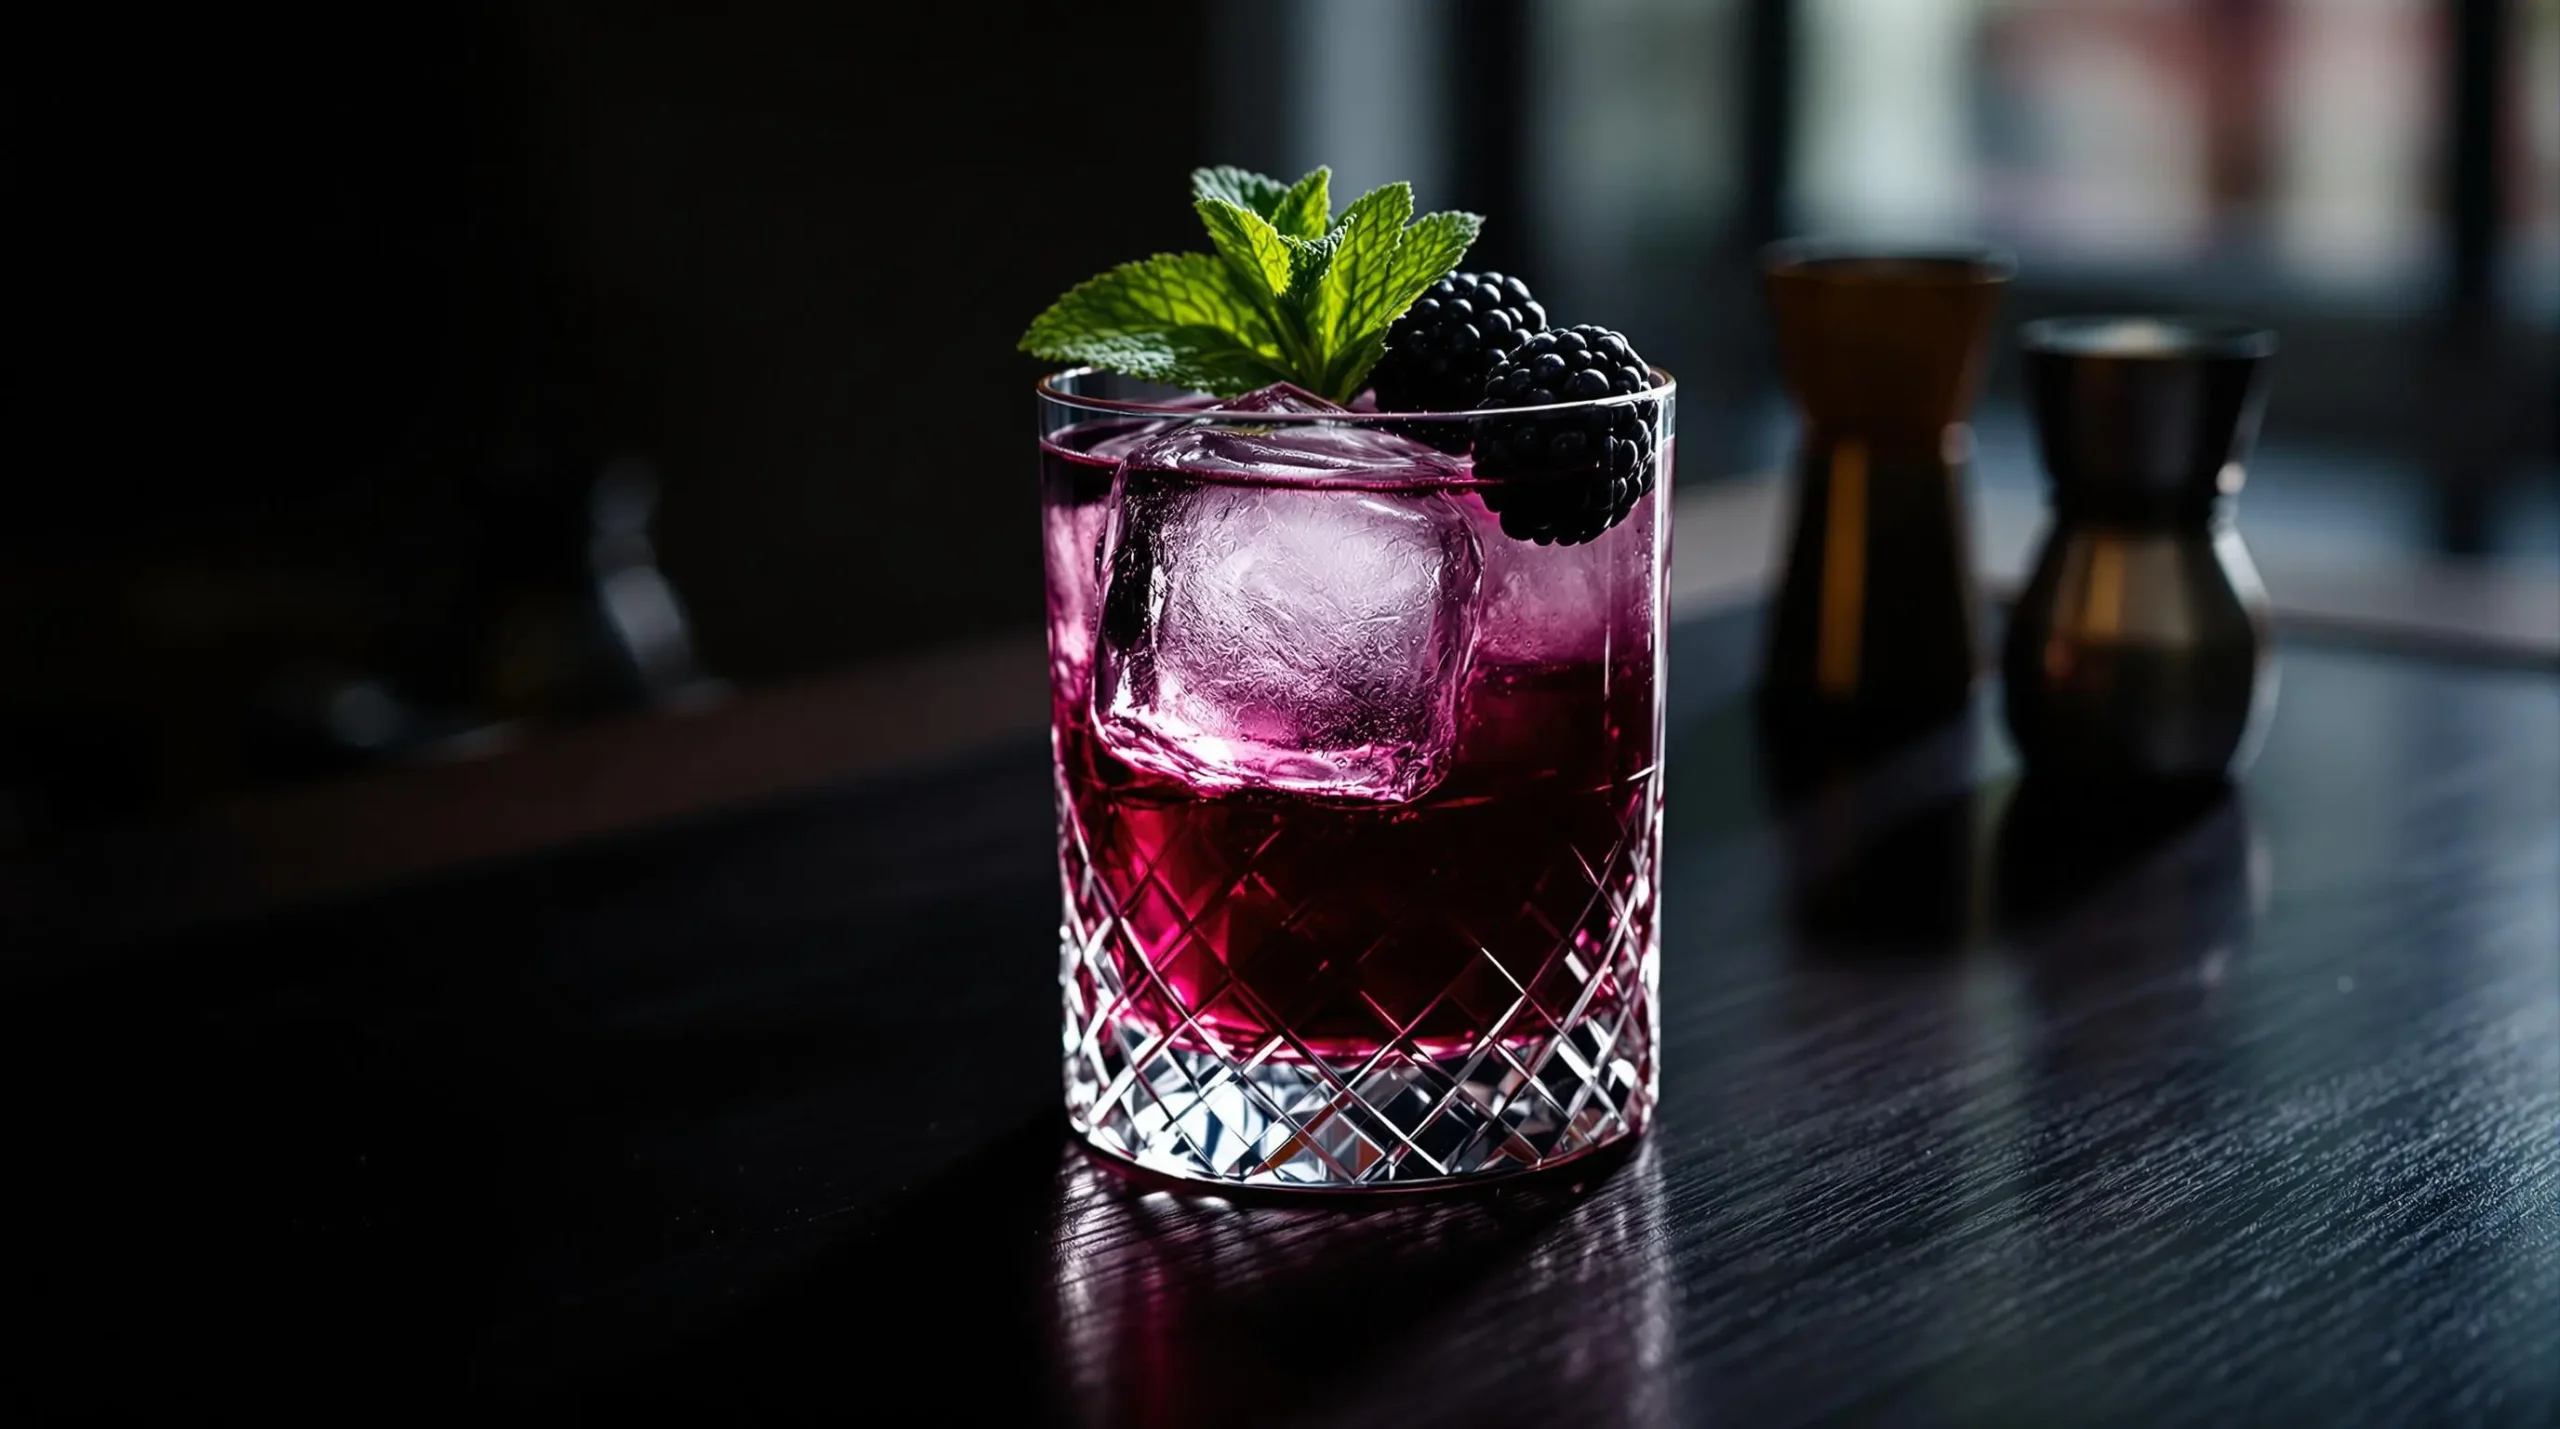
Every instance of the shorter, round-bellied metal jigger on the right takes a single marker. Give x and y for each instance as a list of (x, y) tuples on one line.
[(2139, 652)]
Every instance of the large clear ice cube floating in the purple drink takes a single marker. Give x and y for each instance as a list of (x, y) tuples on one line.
[(1286, 608)]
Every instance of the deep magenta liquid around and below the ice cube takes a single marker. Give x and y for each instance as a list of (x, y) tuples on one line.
[(1512, 900)]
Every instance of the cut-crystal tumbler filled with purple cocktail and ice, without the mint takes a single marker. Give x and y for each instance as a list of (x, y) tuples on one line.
[(1358, 790)]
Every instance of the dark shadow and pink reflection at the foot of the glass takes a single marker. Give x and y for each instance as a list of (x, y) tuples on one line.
[(1036, 1284)]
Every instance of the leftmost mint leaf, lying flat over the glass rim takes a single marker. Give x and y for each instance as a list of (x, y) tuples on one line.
[(1176, 319)]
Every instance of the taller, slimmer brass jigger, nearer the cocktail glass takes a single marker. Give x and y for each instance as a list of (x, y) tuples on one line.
[(1875, 618)]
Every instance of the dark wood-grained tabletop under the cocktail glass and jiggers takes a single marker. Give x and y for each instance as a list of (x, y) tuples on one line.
[(2241, 1115)]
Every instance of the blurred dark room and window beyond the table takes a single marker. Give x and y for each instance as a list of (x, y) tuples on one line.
[(413, 383)]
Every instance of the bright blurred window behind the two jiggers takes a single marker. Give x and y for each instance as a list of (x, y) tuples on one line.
[(2374, 178)]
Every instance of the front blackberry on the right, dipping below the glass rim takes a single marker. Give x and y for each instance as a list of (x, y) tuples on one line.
[(1565, 478)]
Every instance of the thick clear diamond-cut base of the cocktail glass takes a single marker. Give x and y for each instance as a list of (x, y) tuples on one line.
[(1394, 1120)]
